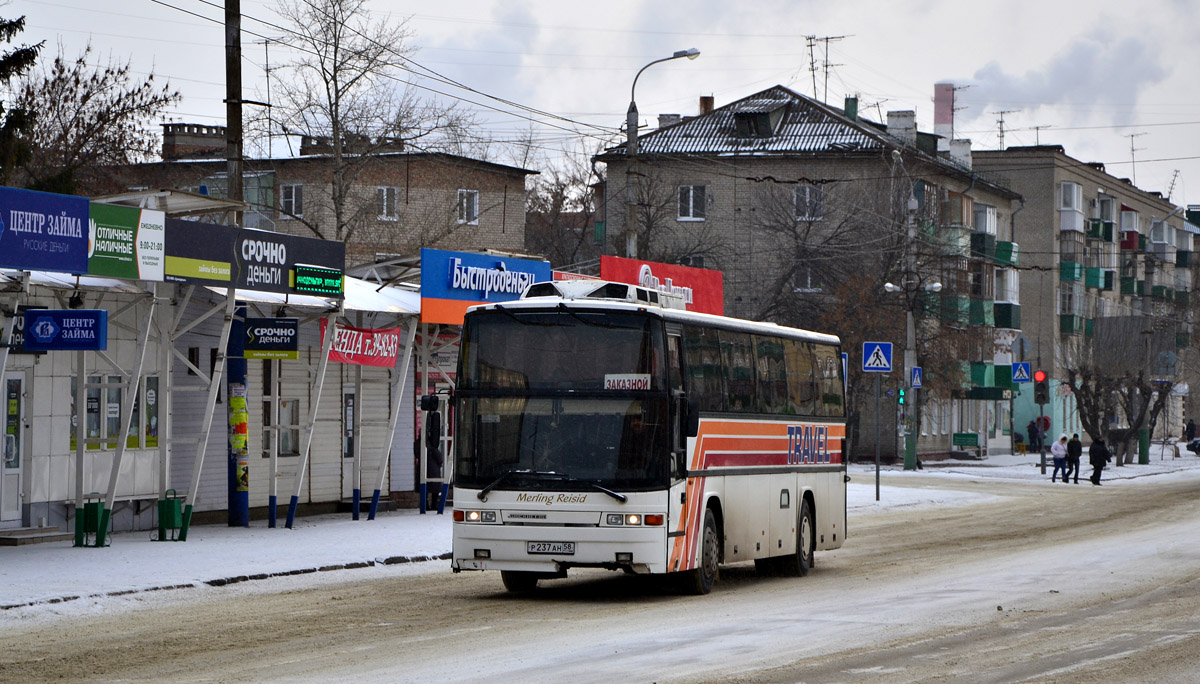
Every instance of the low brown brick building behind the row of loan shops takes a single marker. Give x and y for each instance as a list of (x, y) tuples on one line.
[(397, 202)]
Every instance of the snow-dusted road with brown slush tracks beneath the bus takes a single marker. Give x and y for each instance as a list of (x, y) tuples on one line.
[(1035, 583)]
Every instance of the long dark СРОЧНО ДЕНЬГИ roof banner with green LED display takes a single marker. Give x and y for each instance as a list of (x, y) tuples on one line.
[(262, 261)]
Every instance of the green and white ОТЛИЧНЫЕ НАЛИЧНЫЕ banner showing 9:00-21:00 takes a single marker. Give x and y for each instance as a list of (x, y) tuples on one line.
[(127, 243)]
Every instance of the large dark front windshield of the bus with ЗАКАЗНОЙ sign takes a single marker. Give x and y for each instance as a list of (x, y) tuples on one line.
[(562, 400)]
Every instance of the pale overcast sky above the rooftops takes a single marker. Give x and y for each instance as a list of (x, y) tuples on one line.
[(1111, 81)]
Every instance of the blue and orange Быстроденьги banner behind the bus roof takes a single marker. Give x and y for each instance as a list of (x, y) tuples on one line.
[(454, 281)]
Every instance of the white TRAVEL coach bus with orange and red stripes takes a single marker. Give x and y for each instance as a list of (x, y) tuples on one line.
[(598, 428)]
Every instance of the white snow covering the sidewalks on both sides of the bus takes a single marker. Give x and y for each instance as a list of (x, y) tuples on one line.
[(47, 580)]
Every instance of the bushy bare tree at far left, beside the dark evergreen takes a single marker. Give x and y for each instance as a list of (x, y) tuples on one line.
[(87, 122)]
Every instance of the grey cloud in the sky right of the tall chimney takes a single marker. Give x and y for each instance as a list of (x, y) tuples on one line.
[(1094, 76)]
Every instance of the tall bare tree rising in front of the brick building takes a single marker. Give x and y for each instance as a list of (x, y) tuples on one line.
[(345, 95)]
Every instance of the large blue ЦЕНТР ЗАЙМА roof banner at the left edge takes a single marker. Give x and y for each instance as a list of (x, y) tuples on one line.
[(44, 232)]
